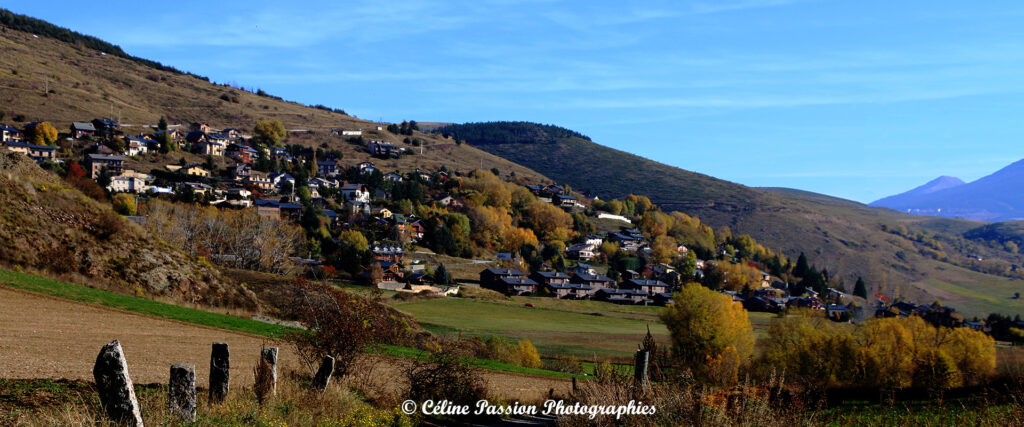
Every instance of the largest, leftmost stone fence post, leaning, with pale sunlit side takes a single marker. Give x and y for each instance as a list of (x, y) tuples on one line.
[(117, 394)]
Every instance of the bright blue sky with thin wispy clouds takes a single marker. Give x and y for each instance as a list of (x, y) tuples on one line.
[(859, 100)]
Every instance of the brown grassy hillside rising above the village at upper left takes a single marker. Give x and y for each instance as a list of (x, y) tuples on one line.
[(46, 79)]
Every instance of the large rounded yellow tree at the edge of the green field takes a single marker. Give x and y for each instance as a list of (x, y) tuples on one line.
[(711, 334)]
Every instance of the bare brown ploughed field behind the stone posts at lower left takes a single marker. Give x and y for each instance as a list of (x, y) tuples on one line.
[(46, 337)]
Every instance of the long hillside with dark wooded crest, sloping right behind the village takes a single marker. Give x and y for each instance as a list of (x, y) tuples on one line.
[(847, 238)]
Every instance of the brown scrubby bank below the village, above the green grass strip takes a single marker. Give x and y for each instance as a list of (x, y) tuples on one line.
[(49, 227)]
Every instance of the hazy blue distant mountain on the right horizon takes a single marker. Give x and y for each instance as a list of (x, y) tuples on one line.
[(995, 198)]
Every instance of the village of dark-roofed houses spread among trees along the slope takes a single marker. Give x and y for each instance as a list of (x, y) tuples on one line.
[(245, 172)]
